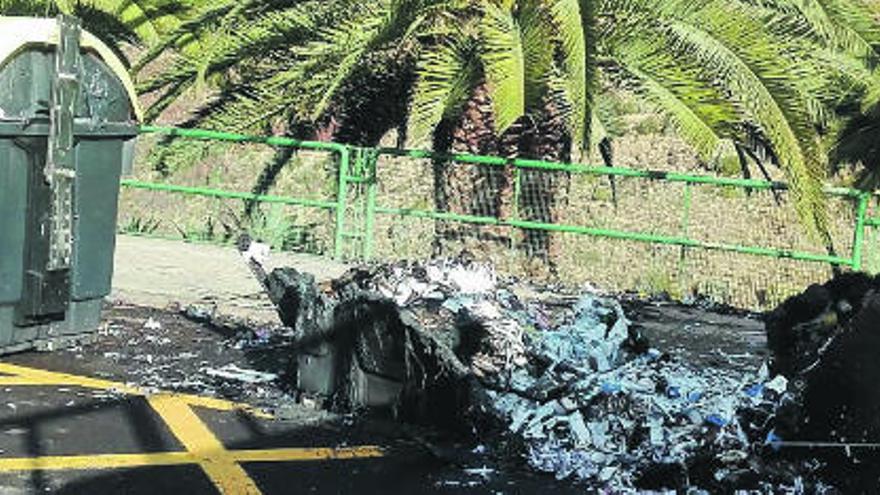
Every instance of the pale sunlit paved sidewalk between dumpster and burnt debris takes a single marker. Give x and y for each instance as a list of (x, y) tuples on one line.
[(159, 273)]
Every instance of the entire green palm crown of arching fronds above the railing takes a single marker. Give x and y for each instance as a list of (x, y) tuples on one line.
[(762, 77)]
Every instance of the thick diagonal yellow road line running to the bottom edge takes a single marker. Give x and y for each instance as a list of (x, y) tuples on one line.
[(224, 471)]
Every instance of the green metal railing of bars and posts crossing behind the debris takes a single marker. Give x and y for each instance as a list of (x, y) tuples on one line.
[(355, 206)]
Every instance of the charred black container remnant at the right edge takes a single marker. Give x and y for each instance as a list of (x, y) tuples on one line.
[(826, 342)]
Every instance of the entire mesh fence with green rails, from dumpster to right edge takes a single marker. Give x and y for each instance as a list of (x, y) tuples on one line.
[(734, 241)]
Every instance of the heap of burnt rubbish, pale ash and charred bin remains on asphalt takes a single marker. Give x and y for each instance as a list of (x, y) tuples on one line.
[(562, 379)]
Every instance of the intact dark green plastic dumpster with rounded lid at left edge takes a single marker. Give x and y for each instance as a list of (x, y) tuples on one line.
[(68, 121)]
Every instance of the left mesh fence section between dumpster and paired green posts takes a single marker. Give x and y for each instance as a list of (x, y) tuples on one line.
[(214, 191)]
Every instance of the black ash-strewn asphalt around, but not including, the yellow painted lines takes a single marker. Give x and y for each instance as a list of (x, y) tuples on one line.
[(187, 350)]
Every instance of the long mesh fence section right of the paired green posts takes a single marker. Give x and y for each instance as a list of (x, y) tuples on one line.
[(682, 236)]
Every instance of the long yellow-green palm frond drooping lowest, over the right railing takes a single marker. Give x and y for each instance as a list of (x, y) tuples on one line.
[(732, 46)]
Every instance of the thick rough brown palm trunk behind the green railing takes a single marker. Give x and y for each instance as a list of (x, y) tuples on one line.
[(489, 190)]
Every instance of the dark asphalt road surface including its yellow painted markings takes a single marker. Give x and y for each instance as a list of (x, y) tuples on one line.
[(139, 412)]
